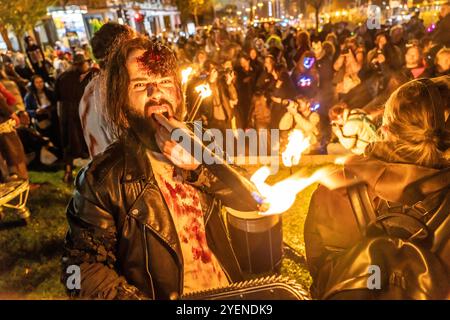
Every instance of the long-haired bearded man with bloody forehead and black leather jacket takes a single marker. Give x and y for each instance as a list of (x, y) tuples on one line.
[(144, 220)]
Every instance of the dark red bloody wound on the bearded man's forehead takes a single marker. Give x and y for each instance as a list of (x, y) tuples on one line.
[(157, 60)]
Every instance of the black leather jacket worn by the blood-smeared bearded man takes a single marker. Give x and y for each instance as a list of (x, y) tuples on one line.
[(122, 235)]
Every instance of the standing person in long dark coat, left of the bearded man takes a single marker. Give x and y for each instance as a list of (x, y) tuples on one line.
[(69, 89)]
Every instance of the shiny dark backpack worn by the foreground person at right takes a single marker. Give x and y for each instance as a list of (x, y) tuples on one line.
[(399, 254)]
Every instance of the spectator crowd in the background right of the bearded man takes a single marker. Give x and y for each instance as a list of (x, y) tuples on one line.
[(331, 84)]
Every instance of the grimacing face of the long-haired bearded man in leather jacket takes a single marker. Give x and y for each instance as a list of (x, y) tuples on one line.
[(149, 93)]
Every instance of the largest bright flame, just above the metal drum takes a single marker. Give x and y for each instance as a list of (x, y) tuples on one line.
[(281, 196)]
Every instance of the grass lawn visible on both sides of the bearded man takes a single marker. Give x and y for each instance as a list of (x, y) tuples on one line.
[(30, 254)]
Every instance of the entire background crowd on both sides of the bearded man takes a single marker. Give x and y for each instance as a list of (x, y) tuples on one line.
[(331, 85)]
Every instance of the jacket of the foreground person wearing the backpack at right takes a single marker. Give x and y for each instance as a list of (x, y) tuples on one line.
[(330, 225)]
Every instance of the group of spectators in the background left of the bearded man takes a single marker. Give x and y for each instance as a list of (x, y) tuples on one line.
[(39, 126)]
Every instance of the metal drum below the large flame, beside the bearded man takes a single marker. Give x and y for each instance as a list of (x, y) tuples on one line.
[(256, 239)]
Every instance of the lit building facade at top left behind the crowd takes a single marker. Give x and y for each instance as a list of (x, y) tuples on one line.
[(77, 21)]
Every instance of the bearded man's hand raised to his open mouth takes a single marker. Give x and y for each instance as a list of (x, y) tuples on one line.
[(170, 148)]
